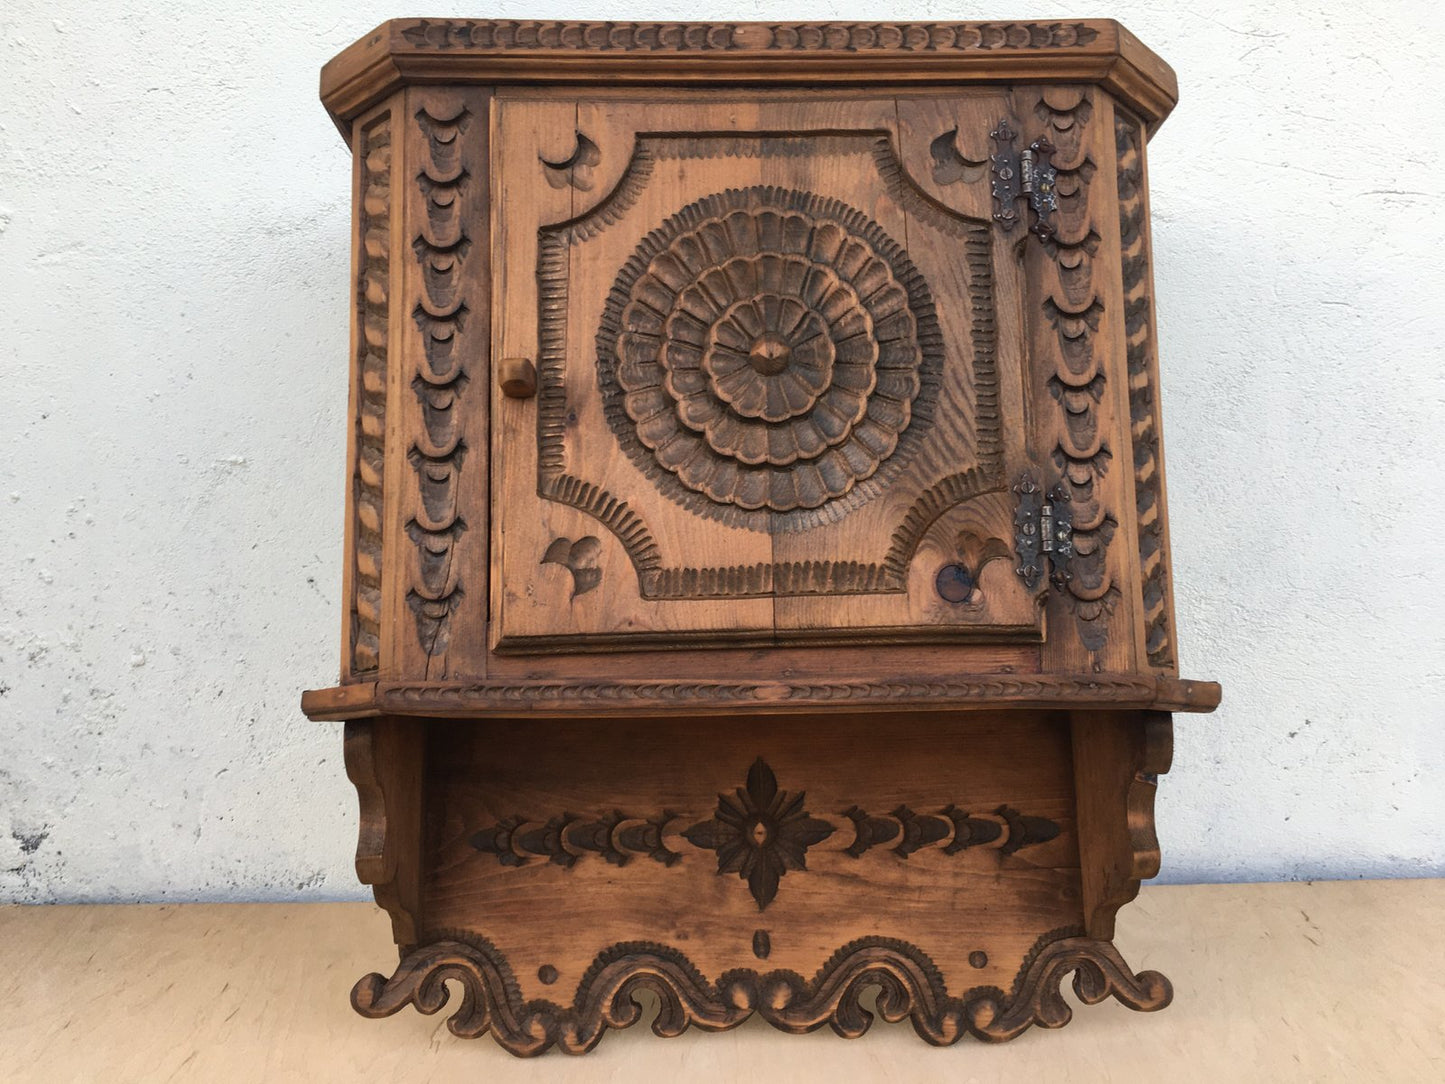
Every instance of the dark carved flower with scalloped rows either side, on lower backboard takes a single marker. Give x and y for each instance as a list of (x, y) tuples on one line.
[(759, 832)]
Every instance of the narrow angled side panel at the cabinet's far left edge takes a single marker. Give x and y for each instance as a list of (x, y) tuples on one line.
[(366, 452)]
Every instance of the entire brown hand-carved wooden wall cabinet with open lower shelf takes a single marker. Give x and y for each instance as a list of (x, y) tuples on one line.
[(758, 573)]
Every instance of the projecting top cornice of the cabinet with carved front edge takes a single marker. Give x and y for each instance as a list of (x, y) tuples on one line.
[(511, 51)]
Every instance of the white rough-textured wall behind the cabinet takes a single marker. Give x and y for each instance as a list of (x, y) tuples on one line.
[(174, 291)]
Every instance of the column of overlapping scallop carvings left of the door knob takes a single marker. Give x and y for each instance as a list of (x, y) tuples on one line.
[(440, 313)]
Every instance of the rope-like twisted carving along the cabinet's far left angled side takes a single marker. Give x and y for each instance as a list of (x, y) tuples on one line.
[(368, 472)]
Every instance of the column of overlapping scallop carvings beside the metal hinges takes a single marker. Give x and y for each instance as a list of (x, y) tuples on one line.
[(1074, 311)]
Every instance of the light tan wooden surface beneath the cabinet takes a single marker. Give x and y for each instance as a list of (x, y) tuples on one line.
[(1313, 982)]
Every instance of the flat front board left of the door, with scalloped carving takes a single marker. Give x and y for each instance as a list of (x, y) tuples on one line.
[(437, 596)]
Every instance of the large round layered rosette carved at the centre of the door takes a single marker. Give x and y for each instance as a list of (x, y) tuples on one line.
[(764, 352)]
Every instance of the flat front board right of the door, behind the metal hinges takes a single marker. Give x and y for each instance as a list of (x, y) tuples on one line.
[(1076, 388)]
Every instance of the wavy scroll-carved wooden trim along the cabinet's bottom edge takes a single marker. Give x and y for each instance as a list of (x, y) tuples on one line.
[(910, 988)]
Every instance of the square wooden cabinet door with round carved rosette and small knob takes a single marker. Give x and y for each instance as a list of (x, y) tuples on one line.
[(780, 390)]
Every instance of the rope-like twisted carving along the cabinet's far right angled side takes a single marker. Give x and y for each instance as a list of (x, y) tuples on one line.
[(1144, 403)]
